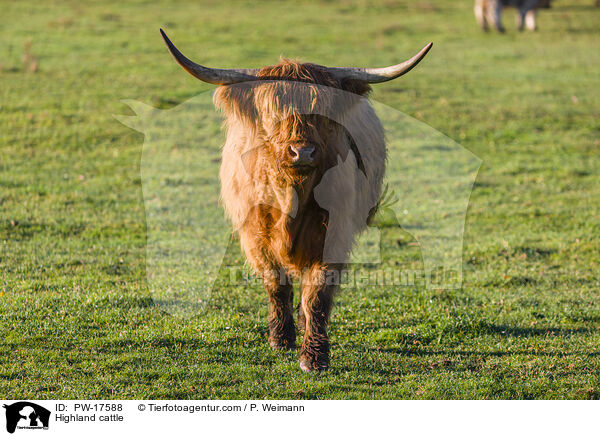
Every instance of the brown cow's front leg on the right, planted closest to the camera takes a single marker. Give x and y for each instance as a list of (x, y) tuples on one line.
[(317, 298)]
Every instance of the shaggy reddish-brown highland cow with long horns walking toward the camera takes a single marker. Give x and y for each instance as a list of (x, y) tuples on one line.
[(287, 125)]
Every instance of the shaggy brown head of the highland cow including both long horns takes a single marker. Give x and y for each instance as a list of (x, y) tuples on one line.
[(278, 104)]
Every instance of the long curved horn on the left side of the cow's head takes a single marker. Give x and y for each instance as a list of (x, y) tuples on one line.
[(215, 76)]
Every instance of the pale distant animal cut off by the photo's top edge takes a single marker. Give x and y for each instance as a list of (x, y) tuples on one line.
[(490, 12)]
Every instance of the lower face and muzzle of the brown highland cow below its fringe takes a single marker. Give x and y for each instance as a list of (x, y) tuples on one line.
[(297, 143)]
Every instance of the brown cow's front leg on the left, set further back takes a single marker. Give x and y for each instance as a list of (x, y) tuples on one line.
[(282, 334)]
